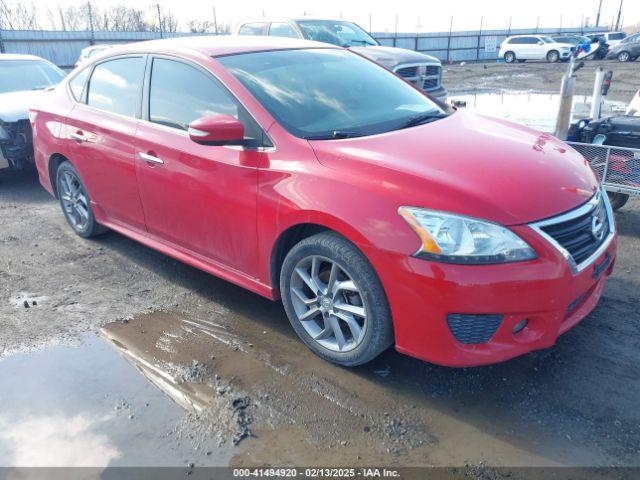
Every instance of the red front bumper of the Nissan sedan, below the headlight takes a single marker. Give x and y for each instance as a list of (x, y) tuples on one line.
[(543, 291)]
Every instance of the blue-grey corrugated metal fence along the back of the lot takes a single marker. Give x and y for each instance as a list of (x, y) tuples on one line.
[(63, 48)]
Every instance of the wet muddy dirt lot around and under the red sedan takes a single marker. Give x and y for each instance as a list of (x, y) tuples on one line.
[(244, 390)]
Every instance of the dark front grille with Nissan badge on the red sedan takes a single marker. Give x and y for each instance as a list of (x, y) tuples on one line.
[(581, 235)]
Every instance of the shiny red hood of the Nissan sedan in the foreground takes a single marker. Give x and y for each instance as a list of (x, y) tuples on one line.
[(468, 164)]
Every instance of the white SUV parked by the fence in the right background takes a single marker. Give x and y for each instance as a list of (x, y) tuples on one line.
[(534, 47)]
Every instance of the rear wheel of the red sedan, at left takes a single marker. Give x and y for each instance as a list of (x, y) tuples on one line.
[(86, 227)]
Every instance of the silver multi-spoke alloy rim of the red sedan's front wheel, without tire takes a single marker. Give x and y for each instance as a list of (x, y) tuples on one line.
[(328, 303)]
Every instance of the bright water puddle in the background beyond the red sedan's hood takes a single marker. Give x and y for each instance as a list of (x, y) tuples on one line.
[(535, 110)]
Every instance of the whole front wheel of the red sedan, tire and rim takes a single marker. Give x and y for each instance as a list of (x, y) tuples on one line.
[(335, 301)]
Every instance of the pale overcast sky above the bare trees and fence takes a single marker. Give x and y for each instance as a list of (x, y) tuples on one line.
[(424, 15)]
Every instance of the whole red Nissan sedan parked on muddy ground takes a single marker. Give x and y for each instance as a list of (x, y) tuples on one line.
[(302, 171)]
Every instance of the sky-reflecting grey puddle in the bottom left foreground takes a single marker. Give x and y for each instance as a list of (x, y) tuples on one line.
[(88, 406)]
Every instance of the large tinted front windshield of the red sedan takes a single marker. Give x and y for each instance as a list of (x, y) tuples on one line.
[(330, 93)]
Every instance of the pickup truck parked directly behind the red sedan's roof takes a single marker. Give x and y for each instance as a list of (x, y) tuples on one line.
[(424, 71)]
